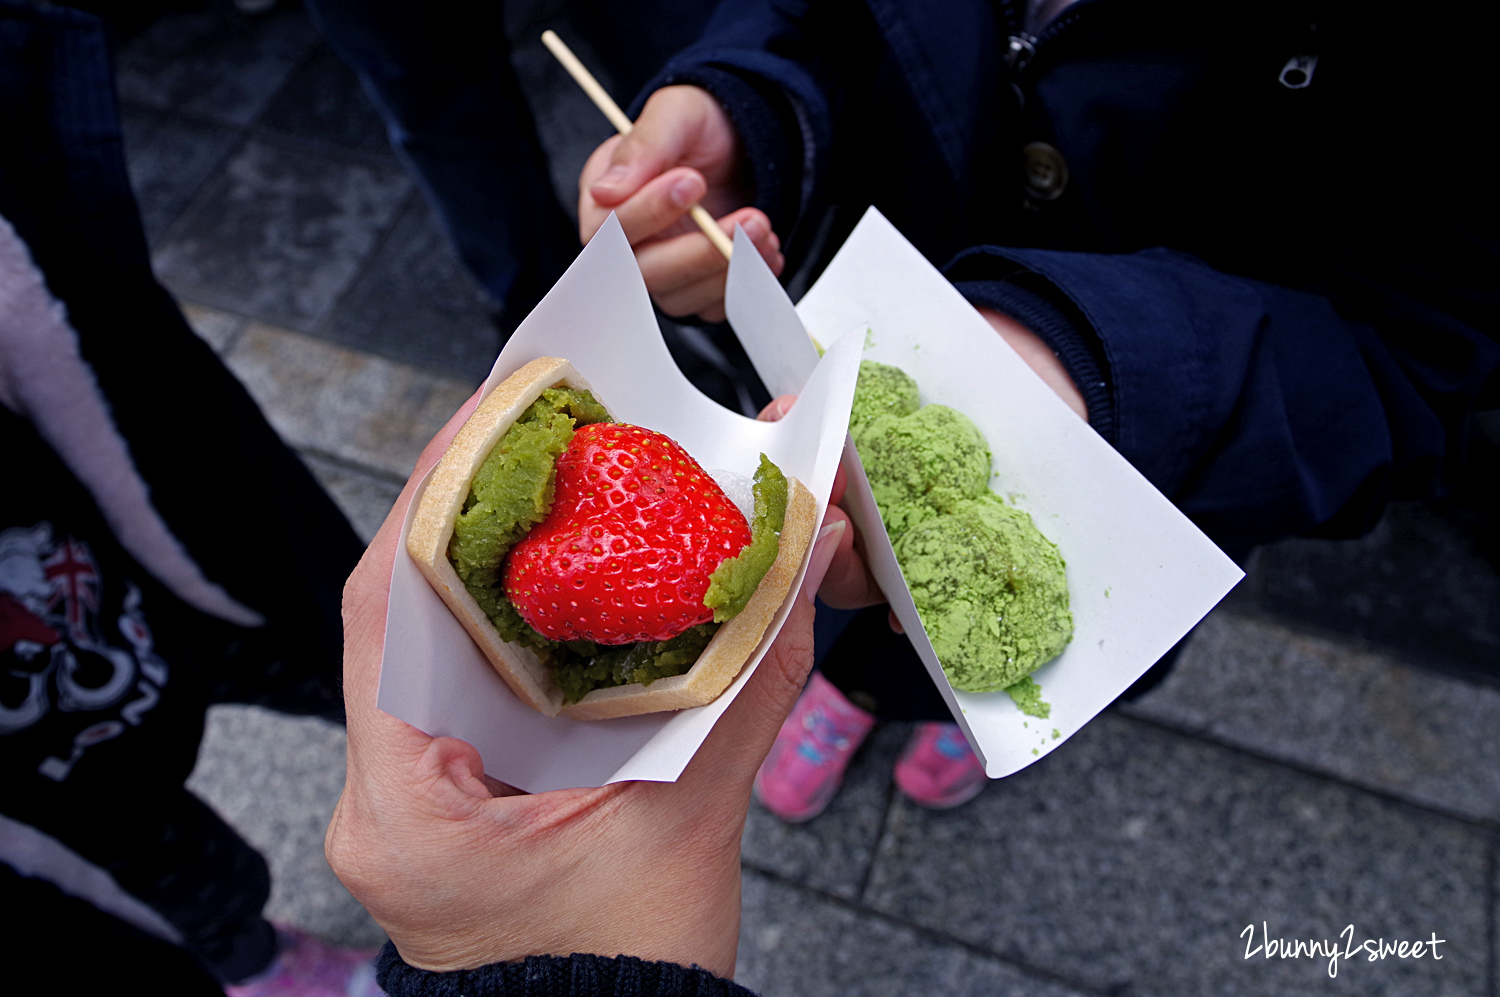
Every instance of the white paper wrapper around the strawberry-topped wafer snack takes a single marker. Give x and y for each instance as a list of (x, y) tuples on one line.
[(599, 317)]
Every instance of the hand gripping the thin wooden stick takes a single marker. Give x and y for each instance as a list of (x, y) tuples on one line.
[(682, 152)]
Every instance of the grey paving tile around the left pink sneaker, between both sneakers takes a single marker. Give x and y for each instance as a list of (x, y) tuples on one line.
[(832, 852)]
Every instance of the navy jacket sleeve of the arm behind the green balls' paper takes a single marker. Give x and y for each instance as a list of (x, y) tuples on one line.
[(1261, 410)]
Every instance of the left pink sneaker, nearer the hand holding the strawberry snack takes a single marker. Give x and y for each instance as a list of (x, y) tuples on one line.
[(811, 753)]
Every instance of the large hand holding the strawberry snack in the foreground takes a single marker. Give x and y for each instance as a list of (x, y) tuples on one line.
[(464, 872)]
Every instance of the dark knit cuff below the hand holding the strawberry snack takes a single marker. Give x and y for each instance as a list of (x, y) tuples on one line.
[(554, 975)]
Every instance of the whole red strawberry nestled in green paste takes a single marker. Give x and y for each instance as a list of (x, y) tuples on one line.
[(635, 530)]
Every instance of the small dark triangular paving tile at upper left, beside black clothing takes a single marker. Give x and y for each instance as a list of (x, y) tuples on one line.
[(170, 160)]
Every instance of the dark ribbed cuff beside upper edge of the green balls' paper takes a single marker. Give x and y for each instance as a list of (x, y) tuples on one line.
[(1040, 307)]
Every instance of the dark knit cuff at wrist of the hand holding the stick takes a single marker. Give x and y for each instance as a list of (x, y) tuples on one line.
[(769, 133)]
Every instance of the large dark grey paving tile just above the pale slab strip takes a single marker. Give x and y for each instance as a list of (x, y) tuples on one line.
[(281, 232)]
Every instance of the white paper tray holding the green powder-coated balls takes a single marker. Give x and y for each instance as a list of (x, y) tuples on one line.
[(1141, 575)]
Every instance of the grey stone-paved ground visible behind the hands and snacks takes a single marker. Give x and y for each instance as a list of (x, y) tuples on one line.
[(1324, 756)]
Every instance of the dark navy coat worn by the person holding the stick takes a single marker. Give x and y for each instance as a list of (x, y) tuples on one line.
[(1279, 301)]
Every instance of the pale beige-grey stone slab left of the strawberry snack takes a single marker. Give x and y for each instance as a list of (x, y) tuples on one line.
[(359, 409)]
